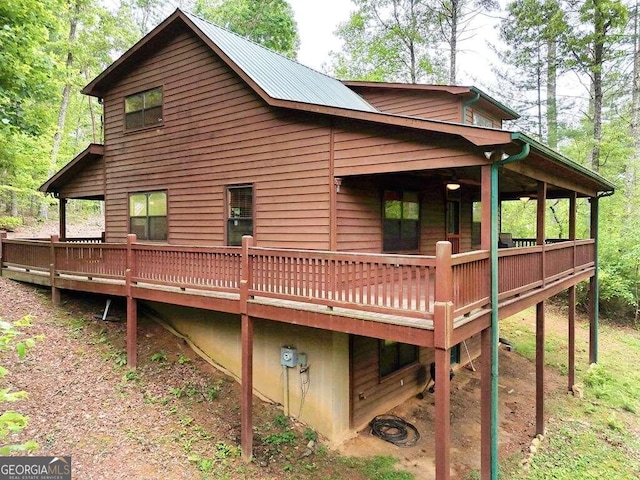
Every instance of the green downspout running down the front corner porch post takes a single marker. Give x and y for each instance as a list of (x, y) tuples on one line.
[(495, 333)]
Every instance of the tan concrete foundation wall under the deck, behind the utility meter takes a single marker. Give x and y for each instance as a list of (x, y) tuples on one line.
[(319, 397)]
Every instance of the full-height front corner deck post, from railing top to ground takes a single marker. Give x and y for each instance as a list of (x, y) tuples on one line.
[(443, 328)]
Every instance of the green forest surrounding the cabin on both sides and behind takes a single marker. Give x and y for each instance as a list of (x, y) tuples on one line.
[(570, 68)]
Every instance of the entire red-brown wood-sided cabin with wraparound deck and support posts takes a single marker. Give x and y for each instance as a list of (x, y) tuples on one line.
[(291, 224)]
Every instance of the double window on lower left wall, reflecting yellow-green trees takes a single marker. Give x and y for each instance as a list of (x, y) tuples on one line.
[(148, 215)]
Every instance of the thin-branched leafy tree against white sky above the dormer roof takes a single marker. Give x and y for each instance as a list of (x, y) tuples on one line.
[(390, 40)]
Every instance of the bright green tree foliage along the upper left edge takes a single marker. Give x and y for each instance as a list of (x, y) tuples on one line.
[(28, 74)]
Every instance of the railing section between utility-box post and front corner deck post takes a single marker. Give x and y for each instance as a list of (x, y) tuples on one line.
[(391, 284)]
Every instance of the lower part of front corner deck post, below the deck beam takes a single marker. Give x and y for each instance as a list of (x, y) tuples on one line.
[(443, 414)]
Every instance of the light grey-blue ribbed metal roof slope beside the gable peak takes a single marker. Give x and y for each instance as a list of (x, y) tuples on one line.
[(280, 77)]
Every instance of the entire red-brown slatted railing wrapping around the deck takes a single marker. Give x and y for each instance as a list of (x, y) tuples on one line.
[(403, 285)]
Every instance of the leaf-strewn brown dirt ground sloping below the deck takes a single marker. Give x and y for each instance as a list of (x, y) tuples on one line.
[(119, 425)]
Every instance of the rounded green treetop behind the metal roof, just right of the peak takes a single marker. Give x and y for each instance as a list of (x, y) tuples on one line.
[(267, 22)]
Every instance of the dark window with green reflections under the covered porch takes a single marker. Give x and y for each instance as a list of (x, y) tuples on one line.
[(401, 221)]
